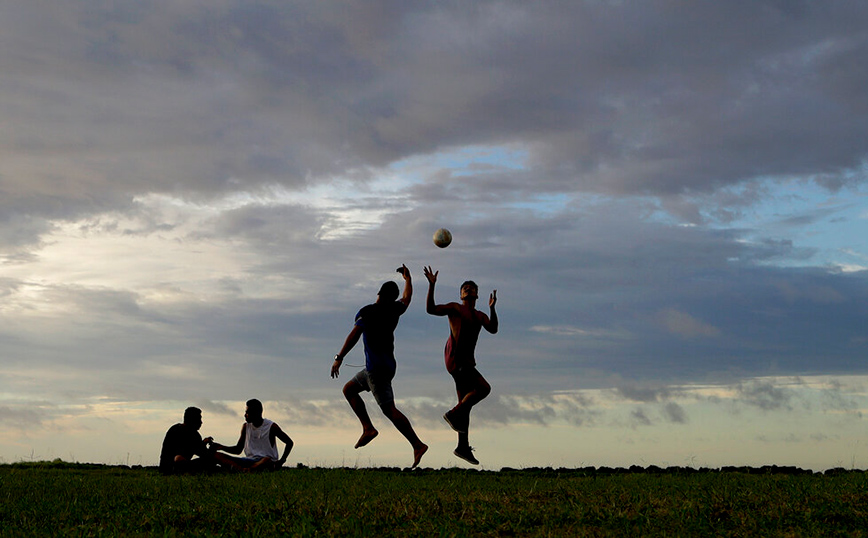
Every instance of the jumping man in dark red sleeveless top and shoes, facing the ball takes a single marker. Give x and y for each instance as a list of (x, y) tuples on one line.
[(465, 322)]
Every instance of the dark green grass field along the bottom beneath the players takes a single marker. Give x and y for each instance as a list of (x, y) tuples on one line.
[(60, 499)]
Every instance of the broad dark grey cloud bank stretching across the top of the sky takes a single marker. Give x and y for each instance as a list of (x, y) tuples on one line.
[(113, 101)]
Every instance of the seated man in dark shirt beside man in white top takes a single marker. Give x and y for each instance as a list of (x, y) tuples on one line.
[(182, 442)]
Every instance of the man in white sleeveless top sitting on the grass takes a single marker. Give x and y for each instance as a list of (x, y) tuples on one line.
[(258, 440)]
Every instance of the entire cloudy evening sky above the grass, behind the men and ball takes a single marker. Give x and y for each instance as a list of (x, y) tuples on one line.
[(670, 198)]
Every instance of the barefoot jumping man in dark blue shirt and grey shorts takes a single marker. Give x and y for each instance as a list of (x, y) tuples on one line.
[(375, 324)]
